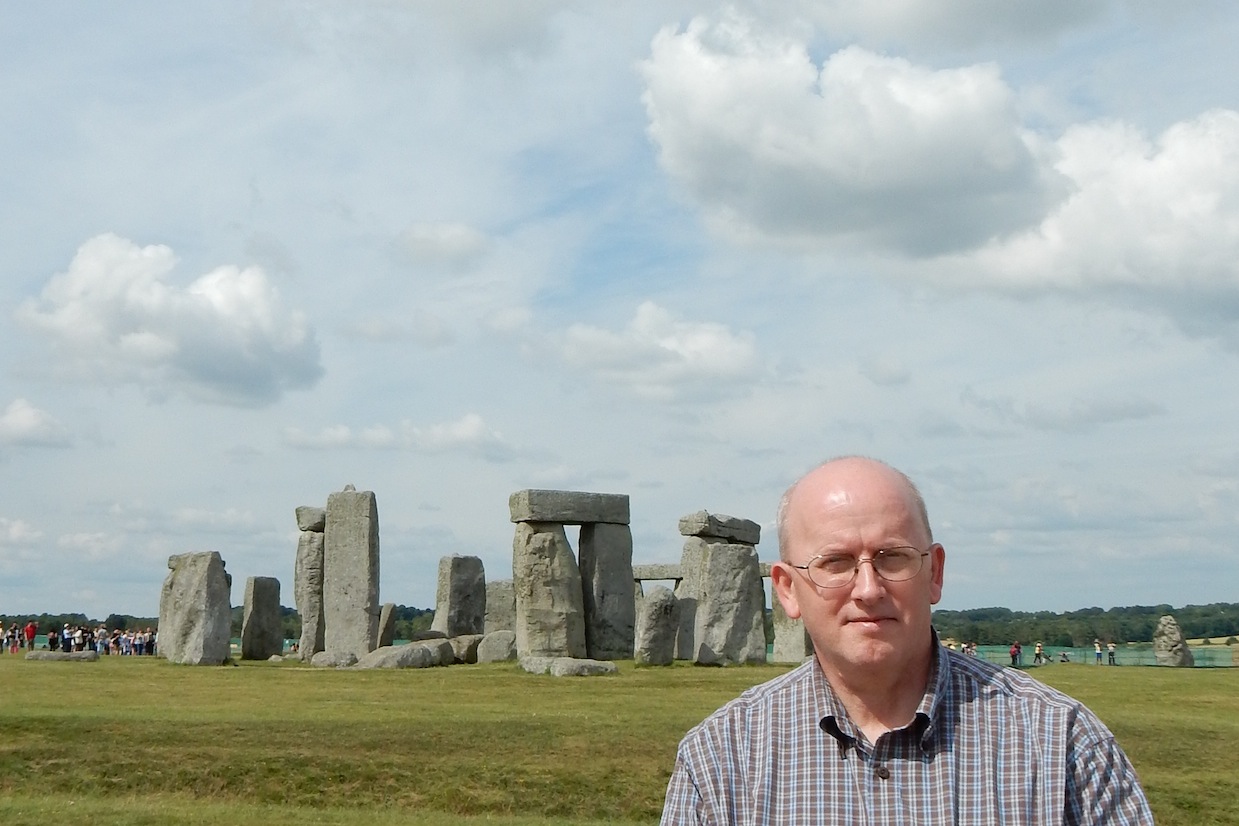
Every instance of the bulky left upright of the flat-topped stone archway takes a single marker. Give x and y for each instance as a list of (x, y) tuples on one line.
[(551, 615)]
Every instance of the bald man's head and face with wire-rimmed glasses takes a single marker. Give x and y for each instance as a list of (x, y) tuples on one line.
[(869, 628)]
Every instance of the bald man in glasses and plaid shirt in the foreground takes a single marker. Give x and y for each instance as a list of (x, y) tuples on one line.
[(884, 725)]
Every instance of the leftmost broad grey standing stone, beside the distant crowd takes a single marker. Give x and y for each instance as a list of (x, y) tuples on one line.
[(195, 610)]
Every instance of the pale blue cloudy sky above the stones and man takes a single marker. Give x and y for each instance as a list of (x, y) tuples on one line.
[(252, 253)]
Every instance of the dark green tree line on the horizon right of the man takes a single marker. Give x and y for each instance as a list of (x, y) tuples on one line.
[(1217, 622)]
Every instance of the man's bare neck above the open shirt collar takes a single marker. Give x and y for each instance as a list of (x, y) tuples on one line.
[(882, 700)]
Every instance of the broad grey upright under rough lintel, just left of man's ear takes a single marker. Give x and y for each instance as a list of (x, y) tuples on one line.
[(729, 627)]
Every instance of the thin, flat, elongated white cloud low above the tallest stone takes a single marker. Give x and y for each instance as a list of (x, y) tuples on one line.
[(470, 434)]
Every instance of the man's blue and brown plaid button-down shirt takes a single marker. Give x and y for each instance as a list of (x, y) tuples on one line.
[(987, 746)]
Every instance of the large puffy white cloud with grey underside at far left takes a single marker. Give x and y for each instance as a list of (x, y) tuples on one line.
[(225, 339)]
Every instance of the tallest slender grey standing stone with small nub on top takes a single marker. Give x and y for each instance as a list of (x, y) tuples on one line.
[(351, 573)]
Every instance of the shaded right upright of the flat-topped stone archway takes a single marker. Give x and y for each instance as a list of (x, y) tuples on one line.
[(608, 591)]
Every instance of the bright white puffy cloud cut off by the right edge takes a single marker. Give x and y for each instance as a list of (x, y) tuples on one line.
[(1153, 222)]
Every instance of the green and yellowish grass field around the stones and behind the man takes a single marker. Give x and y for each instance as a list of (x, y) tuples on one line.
[(138, 741)]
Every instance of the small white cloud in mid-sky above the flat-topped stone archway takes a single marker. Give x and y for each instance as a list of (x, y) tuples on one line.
[(661, 356)]
